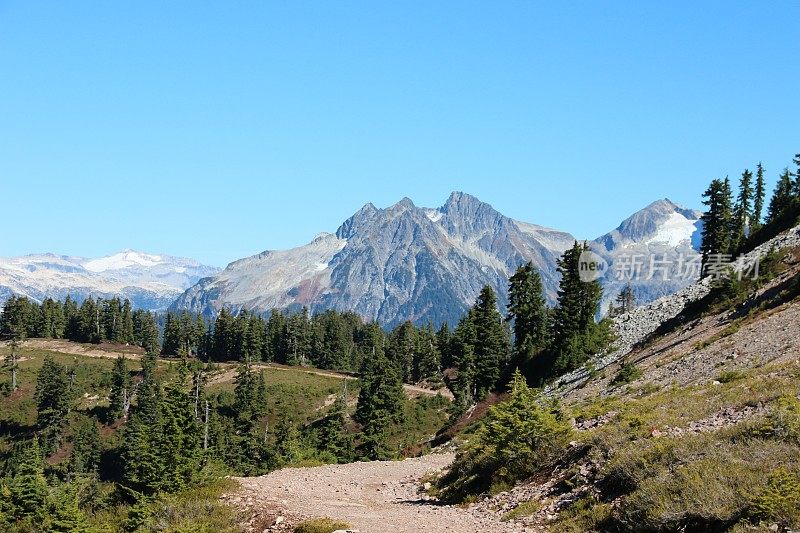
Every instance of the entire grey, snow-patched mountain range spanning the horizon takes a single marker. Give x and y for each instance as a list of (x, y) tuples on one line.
[(399, 263)]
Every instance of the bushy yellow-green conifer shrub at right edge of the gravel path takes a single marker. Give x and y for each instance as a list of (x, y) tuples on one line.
[(518, 438)]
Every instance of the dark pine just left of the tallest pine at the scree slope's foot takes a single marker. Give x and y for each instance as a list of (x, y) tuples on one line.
[(527, 310)]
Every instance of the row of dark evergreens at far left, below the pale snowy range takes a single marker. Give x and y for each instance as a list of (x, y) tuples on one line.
[(110, 320)]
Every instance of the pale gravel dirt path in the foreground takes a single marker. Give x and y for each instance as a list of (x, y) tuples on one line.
[(379, 496)]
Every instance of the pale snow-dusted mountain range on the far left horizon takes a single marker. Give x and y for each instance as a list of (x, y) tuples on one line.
[(149, 281)]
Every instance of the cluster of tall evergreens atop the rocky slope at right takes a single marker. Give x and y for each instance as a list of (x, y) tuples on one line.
[(731, 226)]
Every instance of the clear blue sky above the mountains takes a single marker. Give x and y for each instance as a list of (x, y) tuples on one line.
[(218, 130)]
